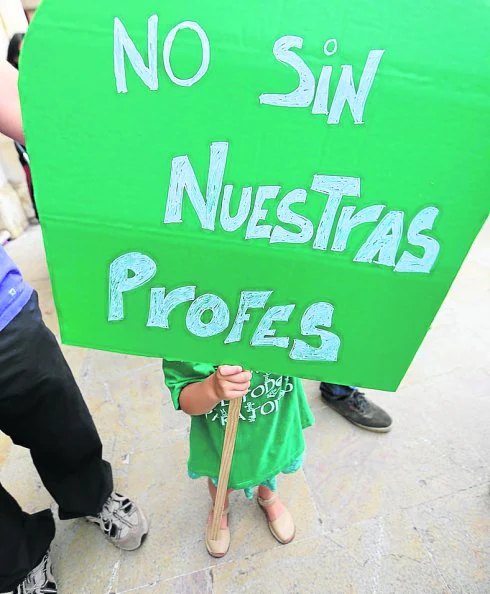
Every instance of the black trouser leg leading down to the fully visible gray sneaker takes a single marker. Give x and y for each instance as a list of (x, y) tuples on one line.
[(41, 408)]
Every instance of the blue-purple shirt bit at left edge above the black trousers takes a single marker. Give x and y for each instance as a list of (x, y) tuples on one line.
[(14, 292)]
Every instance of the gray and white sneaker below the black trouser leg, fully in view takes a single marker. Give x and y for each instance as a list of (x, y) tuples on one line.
[(122, 522)]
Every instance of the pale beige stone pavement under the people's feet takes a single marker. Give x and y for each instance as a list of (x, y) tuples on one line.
[(407, 512)]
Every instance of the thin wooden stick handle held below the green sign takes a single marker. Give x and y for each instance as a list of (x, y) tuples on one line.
[(226, 459)]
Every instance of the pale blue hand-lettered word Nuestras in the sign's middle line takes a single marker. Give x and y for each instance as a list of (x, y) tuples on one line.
[(381, 246)]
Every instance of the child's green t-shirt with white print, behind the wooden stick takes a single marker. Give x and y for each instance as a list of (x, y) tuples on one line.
[(270, 431)]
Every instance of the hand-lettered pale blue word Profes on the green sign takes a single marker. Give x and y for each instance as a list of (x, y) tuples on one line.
[(209, 315)]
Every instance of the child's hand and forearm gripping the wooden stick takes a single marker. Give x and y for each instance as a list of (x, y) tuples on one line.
[(227, 383)]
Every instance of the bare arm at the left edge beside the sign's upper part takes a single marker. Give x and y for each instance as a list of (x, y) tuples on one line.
[(10, 115)]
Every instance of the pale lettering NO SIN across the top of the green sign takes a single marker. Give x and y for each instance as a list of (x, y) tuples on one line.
[(306, 93)]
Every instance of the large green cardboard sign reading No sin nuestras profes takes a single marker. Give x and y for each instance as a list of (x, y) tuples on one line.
[(289, 186)]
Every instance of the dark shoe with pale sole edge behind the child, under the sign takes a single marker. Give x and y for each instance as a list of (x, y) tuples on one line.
[(357, 409)]
